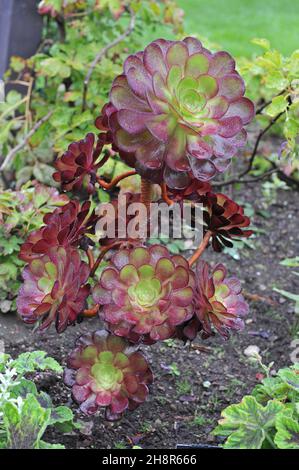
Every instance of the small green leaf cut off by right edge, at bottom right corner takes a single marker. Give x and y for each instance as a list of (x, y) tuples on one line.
[(287, 436)]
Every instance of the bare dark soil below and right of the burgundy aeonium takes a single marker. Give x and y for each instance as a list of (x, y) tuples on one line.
[(186, 399)]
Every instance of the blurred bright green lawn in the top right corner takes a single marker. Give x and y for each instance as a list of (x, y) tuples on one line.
[(233, 23)]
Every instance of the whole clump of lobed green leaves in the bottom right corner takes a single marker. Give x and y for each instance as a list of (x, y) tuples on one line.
[(266, 419)]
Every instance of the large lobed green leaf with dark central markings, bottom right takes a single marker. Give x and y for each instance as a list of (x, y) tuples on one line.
[(248, 424)]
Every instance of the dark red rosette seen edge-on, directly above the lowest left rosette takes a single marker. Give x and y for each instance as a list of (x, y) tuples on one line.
[(68, 225)]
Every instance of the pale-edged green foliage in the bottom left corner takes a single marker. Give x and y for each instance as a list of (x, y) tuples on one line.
[(25, 413)]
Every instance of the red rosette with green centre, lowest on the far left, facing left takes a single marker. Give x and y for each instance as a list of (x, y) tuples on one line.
[(53, 289)]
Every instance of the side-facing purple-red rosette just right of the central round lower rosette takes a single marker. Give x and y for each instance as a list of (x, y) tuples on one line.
[(218, 302)]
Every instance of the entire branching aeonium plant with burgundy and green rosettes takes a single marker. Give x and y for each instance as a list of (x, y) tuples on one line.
[(177, 116)]
